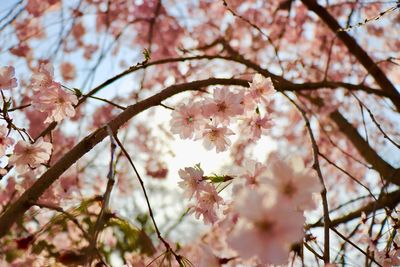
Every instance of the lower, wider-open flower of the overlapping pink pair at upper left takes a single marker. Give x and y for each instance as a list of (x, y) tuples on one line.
[(57, 103)]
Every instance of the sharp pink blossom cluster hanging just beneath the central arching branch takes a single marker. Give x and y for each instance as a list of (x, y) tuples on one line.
[(209, 118)]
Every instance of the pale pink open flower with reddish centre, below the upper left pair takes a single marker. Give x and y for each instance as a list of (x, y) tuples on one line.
[(28, 155)]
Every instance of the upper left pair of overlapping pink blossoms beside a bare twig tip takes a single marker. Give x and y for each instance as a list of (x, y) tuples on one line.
[(49, 97)]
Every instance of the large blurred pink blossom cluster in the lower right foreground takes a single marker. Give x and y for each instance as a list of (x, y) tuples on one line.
[(270, 208)]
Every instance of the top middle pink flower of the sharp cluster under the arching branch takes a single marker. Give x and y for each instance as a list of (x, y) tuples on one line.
[(224, 106)]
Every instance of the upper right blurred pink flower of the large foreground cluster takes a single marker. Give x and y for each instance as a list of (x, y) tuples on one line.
[(293, 182)]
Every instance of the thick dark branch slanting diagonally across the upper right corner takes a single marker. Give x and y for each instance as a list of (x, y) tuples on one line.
[(355, 49)]
